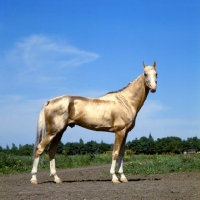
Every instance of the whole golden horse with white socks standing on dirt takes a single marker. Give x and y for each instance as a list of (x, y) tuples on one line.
[(115, 112)]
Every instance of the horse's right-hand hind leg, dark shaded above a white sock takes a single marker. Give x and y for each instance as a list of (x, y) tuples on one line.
[(52, 152)]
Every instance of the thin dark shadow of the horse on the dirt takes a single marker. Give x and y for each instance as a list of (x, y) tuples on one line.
[(100, 180)]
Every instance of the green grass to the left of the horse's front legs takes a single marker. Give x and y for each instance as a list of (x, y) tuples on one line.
[(13, 164)]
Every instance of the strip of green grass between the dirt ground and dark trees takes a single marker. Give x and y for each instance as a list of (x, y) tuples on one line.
[(135, 164)]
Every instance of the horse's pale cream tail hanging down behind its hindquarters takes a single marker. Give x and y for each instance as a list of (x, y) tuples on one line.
[(41, 128)]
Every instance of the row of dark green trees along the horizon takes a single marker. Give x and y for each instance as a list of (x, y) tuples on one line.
[(144, 145)]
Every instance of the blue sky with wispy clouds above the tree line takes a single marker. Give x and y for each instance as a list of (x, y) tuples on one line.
[(89, 48)]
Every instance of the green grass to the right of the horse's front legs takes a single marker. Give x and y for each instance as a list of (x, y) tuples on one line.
[(159, 164)]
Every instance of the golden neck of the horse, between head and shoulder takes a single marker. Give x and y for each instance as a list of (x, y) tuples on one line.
[(136, 93)]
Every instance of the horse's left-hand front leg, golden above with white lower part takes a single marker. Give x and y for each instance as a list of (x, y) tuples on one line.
[(119, 138)]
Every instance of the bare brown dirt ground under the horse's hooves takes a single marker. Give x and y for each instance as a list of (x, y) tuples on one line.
[(95, 183)]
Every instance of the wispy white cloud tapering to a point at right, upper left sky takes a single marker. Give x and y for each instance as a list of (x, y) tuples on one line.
[(40, 51)]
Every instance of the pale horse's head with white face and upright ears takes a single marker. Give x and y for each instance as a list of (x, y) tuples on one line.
[(150, 75)]
